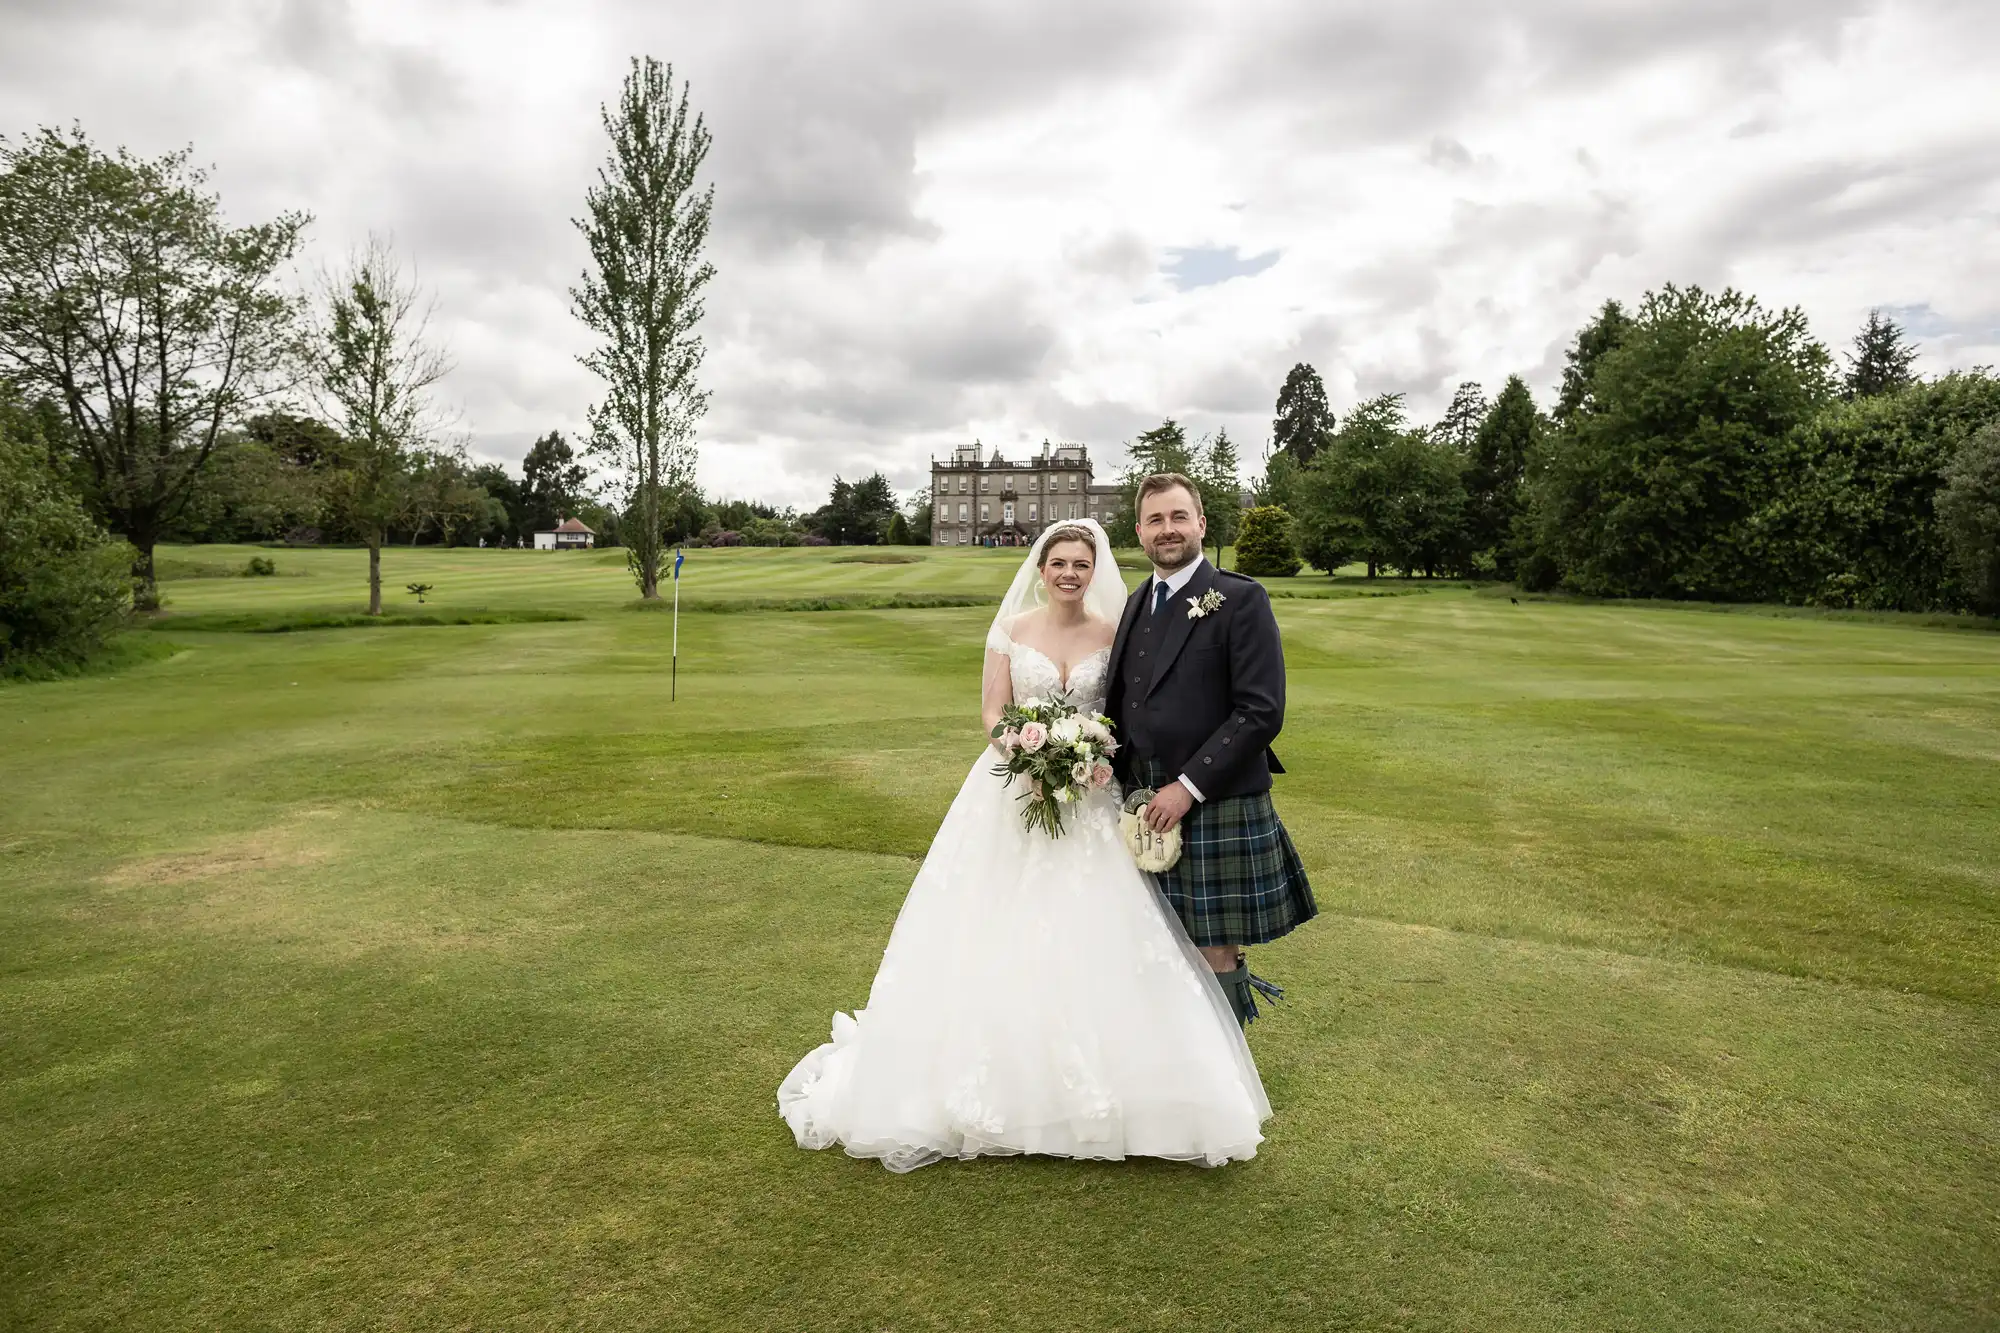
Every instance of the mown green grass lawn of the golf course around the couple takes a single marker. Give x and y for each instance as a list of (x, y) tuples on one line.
[(445, 978)]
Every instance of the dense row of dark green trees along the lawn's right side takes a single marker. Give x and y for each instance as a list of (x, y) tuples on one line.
[(1701, 447)]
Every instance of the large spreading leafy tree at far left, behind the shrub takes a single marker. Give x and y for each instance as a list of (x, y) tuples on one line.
[(129, 301)]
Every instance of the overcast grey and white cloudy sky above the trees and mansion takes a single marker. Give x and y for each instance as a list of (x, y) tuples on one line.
[(1069, 219)]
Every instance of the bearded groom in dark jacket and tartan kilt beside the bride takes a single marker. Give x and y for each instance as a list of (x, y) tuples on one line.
[(1199, 696)]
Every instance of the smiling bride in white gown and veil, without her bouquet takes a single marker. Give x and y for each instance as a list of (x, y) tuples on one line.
[(1037, 994)]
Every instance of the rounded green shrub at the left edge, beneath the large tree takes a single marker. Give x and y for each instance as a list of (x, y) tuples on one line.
[(65, 585)]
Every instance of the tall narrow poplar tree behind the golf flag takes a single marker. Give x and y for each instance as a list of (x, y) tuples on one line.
[(647, 223)]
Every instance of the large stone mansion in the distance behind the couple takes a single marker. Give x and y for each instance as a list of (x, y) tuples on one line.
[(997, 503)]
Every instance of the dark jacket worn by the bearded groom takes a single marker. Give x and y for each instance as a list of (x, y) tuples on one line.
[(1203, 696)]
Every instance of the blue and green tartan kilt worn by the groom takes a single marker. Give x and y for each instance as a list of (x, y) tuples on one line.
[(1239, 880)]
